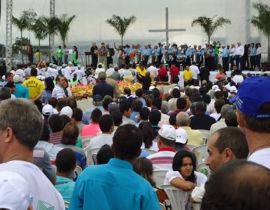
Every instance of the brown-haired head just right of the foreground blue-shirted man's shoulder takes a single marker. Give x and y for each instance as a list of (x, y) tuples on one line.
[(144, 167)]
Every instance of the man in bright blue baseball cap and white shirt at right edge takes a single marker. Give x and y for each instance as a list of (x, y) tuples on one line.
[(253, 116)]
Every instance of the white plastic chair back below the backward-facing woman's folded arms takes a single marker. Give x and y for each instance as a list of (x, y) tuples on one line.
[(178, 198)]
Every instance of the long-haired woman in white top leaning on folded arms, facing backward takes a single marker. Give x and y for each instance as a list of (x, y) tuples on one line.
[(183, 175)]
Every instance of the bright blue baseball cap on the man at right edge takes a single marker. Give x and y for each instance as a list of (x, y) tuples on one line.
[(252, 94)]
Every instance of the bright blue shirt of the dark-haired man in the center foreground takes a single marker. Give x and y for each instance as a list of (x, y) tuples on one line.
[(113, 186)]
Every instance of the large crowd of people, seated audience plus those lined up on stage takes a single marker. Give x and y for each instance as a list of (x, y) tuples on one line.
[(46, 139)]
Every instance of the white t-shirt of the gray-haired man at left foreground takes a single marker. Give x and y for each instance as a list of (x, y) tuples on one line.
[(43, 192)]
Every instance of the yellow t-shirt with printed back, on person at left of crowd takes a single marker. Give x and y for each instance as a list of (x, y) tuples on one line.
[(35, 86)]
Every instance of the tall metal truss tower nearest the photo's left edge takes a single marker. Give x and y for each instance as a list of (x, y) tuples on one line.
[(9, 34)]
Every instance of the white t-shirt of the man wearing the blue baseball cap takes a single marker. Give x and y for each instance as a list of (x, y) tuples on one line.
[(261, 157)]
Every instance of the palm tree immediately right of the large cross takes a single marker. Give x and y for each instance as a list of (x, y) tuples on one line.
[(210, 25)]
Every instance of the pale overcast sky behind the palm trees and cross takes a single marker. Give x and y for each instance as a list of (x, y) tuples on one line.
[(91, 15)]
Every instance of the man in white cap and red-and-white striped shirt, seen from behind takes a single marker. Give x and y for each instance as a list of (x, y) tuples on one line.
[(162, 160)]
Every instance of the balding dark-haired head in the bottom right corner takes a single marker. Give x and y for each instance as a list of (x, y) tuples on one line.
[(227, 188)]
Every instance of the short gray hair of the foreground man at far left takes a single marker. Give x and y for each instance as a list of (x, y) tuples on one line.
[(23, 118)]
